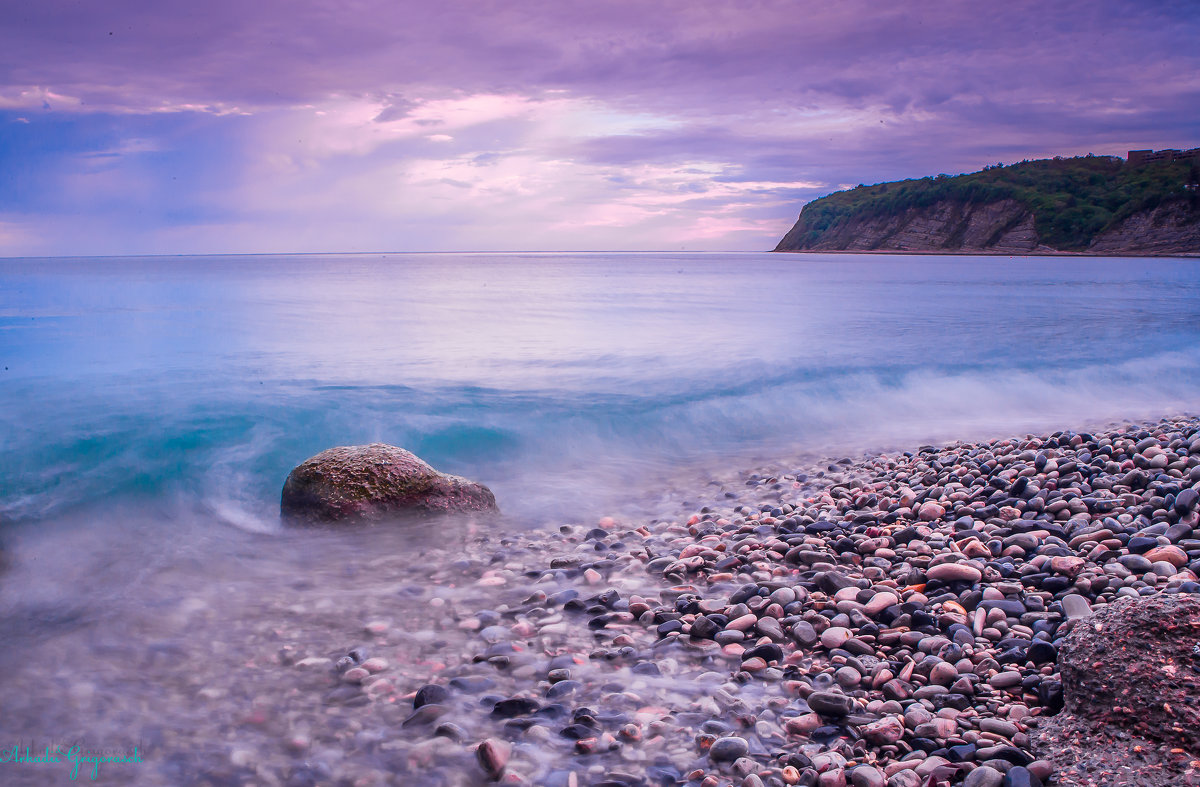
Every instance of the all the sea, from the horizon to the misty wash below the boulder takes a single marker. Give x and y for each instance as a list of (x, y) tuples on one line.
[(151, 410)]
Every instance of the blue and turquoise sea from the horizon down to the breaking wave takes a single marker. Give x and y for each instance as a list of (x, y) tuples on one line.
[(190, 386)]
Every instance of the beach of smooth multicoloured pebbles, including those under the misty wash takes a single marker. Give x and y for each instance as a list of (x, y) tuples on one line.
[(895, 620)]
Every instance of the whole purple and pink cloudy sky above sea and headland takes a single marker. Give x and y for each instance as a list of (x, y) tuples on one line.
[(169, 128)]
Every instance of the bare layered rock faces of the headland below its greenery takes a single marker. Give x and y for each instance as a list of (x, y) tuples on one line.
[(1003, 227)]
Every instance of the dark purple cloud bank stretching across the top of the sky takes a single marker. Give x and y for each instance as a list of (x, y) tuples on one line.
[(675, 56)]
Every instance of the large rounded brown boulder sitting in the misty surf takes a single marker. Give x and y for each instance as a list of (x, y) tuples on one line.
[(375, 483)]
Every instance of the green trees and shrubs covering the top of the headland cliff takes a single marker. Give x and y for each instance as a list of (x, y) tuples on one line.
[(1072, 200)]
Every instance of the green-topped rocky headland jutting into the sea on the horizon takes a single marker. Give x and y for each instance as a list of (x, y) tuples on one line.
[(1088, 206)]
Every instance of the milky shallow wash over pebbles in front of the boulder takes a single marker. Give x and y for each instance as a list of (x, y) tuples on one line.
[(218, 662)]
